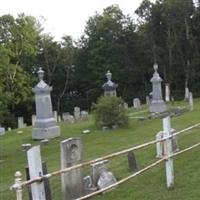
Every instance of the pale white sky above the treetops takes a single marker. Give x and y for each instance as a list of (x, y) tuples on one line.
[(64, 17)]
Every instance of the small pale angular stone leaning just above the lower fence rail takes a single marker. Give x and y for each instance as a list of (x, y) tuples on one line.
[(106, 179)]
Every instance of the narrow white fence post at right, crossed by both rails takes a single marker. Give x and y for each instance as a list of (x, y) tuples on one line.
[(168, 151)]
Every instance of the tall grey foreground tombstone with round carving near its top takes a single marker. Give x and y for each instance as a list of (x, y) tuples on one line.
[(72, 182)]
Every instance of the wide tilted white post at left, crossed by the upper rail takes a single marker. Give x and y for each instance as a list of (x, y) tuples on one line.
[(35, 170)]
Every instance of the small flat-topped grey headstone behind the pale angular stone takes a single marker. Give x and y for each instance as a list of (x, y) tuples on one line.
[(96, 170)]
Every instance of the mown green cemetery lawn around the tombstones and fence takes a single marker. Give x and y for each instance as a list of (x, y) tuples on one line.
[(150, 185)]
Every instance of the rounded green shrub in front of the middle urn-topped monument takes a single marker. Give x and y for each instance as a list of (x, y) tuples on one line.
[(110, 111)]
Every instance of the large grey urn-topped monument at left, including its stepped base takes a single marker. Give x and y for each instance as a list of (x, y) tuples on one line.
[(45, 124)]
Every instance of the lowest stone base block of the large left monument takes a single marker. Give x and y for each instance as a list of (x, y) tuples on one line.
[(45, 133)]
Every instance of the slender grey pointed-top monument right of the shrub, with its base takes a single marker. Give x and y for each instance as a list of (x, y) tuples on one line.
[(157, 104)]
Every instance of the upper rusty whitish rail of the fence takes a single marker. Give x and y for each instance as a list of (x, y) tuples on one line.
[(110, 156)]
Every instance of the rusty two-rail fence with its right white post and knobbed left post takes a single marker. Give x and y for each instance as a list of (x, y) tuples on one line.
[(167, 157)]
